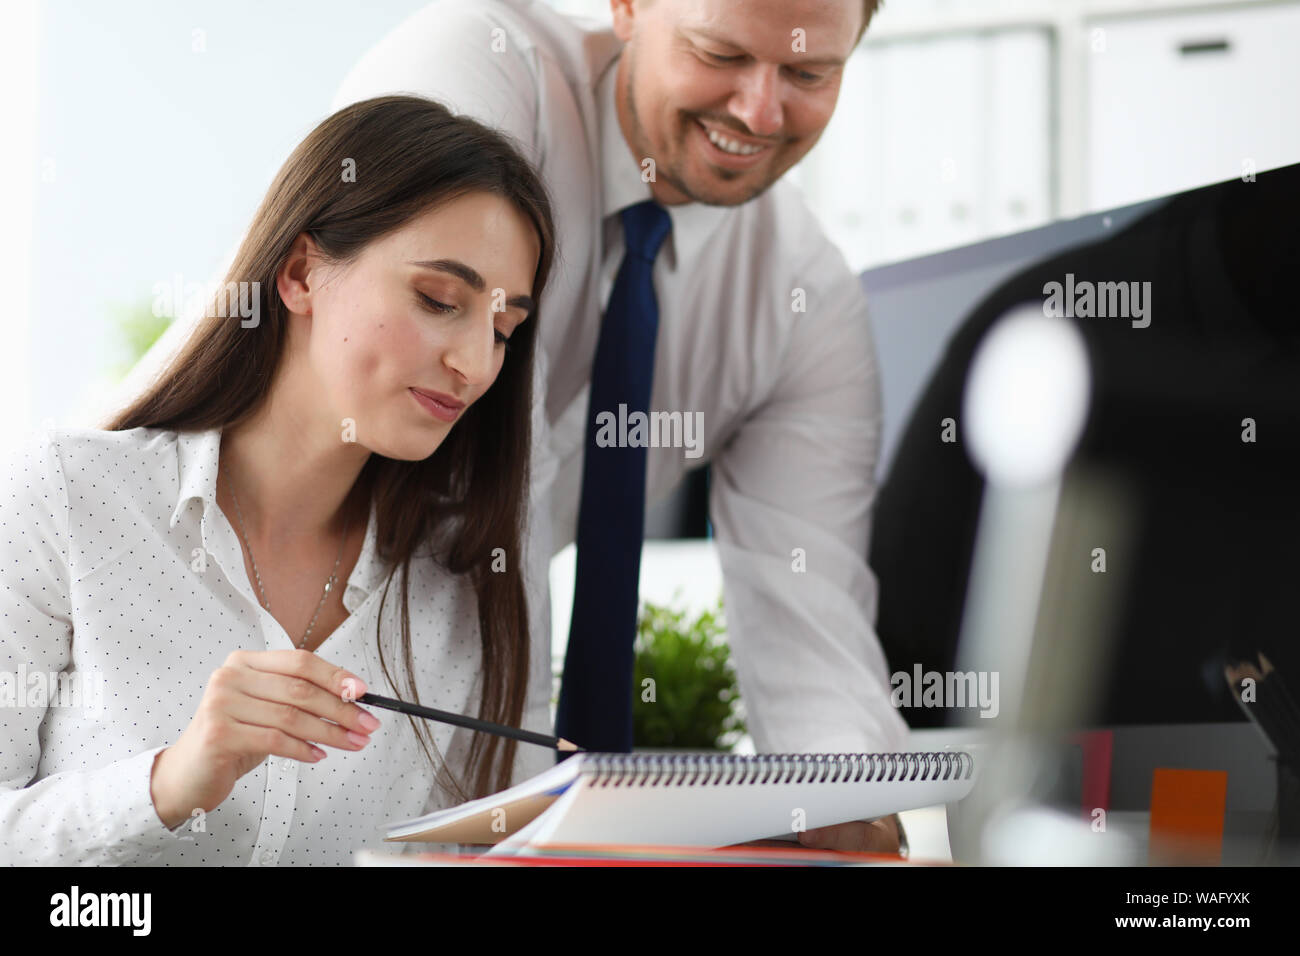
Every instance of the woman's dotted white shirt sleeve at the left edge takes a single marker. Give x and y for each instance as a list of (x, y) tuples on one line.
[(102, 816)]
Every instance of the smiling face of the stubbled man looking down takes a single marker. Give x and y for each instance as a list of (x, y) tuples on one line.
[(726, 96)]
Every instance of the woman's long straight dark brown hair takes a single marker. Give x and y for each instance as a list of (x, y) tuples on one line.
[(469, 498)]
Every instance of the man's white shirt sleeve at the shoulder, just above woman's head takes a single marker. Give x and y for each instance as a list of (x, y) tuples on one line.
[(471, 58)]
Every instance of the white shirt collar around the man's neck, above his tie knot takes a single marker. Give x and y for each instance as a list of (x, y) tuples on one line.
[(622, 185)]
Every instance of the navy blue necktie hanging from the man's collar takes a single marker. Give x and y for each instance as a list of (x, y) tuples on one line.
[(596, 695)]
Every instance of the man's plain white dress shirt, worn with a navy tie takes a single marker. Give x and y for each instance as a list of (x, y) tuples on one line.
[(791, 400)]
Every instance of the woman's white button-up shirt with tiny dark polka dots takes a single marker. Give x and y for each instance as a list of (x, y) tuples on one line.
[(119, 569)]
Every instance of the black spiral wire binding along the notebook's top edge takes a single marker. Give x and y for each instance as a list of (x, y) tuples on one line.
[(726, 769)]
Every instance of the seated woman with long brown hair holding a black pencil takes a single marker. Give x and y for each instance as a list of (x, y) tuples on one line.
[(214, 559)]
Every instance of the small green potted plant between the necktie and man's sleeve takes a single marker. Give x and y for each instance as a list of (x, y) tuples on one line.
[(686, 694)]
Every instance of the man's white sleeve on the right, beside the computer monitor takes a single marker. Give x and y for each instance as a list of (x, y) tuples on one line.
[(791, 500)]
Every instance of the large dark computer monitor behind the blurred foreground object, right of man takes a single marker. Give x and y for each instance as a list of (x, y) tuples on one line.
[(1194, 417)]
